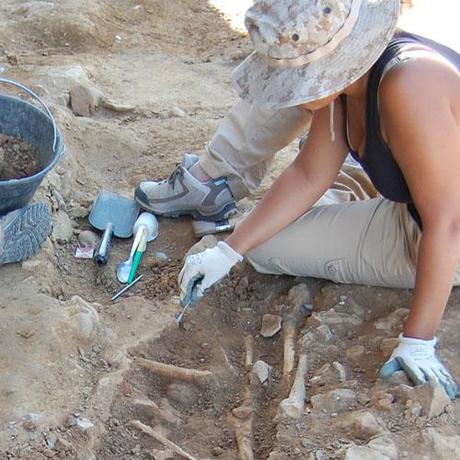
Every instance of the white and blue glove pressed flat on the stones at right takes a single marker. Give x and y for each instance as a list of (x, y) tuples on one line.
[(417, 358)]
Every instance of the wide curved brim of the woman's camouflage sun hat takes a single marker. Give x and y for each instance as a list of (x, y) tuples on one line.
[(257, 82)]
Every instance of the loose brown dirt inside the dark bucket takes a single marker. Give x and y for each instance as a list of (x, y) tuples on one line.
[(18, 159)]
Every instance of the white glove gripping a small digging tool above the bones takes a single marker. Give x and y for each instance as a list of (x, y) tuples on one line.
[(203, 270)]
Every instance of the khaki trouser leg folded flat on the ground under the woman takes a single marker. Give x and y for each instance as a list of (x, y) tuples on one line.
[(350, 236)]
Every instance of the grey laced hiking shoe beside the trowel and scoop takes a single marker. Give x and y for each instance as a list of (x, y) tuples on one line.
[(182, 194)]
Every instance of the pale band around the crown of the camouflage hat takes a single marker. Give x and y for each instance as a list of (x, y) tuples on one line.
[(324, 50)]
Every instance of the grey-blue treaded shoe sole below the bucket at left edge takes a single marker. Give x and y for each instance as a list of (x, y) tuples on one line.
[(23, 232)]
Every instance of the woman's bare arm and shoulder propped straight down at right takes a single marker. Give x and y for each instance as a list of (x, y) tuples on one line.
[(421, 129)]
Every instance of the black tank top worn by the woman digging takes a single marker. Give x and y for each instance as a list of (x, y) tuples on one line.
[(377, 159)]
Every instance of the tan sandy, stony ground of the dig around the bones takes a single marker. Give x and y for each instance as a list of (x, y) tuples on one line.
[(68, 383)]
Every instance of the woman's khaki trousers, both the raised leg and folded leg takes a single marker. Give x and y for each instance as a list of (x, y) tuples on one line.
[(351, 235)]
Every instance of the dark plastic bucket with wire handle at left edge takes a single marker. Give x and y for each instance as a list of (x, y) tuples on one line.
[(21, 119)]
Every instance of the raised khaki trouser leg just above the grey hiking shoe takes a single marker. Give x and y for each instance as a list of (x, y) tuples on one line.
[(247, 140)]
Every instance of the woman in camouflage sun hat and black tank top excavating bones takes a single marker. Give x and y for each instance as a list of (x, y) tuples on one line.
[(390, 98)]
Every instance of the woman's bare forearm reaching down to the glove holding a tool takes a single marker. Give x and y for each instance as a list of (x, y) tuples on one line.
[(298, 188)]
